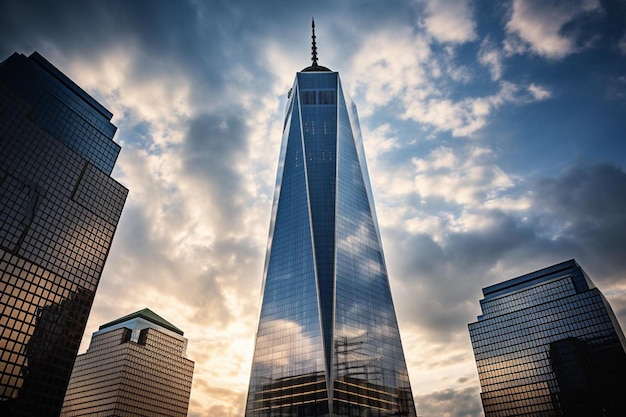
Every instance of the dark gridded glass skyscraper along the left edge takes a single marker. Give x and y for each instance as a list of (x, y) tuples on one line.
[(59, 209)]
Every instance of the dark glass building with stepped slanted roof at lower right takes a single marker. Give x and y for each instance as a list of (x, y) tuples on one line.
[(548, 344)]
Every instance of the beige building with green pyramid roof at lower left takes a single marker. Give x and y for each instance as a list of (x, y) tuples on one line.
[(135, 366)]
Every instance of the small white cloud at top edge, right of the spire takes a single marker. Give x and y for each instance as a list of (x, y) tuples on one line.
[(449, 20)]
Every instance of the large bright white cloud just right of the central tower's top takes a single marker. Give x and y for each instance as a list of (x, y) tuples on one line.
[(398, 69)]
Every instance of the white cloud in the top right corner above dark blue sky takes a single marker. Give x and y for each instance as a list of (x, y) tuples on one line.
[(537, 26)]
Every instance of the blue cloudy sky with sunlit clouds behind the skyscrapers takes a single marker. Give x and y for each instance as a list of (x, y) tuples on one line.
[(494, 131)]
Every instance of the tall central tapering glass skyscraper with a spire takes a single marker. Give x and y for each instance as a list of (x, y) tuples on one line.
[(328, 341)]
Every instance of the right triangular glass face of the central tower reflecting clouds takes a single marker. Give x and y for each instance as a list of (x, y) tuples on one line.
[(371, 377)]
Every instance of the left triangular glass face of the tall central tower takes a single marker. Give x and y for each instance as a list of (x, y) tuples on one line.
[(288, 372)]
